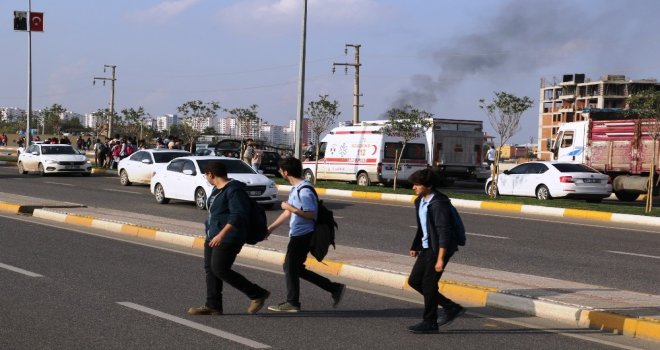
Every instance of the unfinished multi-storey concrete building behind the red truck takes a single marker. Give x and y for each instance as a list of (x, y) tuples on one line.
[(565, 101)]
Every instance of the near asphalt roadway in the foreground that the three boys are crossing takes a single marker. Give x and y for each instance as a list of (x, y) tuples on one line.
[(67, 289)]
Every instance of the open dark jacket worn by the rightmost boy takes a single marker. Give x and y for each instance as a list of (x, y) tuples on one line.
[(439, 225)]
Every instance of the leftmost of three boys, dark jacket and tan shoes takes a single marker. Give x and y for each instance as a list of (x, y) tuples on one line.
[(226, 232)]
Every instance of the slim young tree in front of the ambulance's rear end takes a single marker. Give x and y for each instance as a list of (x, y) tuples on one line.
[(406, 123)]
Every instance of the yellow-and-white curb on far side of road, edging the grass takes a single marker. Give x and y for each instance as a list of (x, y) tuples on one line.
[(496, 206)]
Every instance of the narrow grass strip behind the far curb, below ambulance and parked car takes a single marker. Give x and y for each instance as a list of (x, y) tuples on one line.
[(636, 208)]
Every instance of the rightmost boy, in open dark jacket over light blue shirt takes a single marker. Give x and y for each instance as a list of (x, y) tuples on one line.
[(434, 244)]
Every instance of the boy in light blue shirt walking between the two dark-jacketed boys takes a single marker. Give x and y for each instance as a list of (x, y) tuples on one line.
[(300, 211)]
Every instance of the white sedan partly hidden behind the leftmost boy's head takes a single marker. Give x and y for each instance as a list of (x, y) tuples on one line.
[(183, 179)]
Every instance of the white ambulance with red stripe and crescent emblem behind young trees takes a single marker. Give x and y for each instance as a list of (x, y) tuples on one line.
[(363, 154)]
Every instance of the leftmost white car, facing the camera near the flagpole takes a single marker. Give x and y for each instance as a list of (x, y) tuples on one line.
[(53, 159)]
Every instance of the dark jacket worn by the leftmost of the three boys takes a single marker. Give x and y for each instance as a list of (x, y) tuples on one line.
[(230, 206)]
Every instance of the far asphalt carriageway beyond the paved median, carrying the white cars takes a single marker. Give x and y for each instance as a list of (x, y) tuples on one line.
[(618, 256)]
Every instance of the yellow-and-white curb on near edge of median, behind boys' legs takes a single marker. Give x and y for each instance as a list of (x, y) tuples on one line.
[(642, 328)]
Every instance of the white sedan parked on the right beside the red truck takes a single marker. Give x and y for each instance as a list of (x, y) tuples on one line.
[(546, 180)]
